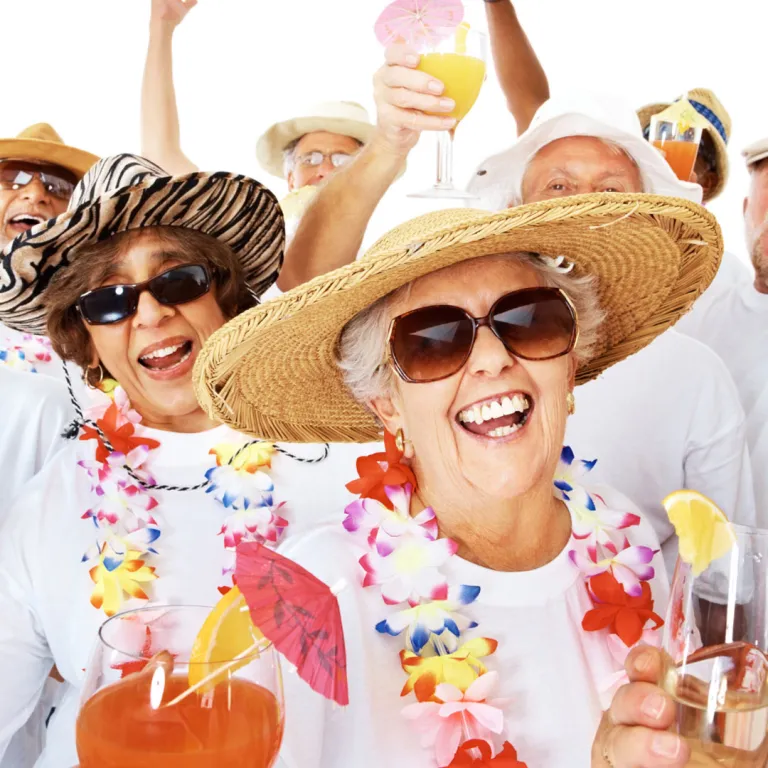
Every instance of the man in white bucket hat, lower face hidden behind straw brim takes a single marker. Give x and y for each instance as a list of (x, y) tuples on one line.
[(684, 426)]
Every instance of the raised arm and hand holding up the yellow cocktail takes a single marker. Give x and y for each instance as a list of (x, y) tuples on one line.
[(331, 231)]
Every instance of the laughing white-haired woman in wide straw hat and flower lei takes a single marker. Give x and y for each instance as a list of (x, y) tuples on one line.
[(494, 597)]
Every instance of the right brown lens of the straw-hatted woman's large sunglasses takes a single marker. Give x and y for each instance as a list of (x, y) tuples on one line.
[(535, 325)]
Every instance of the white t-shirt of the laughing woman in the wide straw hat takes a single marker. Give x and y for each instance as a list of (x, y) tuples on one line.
[(556, 677)]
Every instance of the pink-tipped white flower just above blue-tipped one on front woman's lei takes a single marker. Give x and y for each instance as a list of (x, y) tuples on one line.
[(411, 571)]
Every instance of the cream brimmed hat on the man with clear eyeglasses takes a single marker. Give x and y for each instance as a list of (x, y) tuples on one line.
[(346, 118)]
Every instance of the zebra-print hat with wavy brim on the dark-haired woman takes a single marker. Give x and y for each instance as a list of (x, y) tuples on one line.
[(127, 192)]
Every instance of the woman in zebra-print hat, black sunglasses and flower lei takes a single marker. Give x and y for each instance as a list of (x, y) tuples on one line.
[(147, 505)]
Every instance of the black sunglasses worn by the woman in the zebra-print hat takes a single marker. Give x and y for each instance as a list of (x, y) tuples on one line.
[(115, 303)]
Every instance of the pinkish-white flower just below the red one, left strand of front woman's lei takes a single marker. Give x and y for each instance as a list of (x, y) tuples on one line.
[(382, 526)]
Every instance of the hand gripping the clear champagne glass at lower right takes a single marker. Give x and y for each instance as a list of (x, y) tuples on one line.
[(634, 733)]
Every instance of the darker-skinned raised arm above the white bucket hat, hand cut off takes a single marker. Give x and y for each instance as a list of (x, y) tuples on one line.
[(519, 70)]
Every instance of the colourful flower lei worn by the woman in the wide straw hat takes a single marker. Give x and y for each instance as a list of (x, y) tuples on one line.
[(454, 708)]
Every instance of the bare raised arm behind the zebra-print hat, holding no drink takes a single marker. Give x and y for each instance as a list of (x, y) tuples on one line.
[(160, 139)]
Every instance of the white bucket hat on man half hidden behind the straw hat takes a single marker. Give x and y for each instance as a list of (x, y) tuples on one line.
[(498, 181)]
